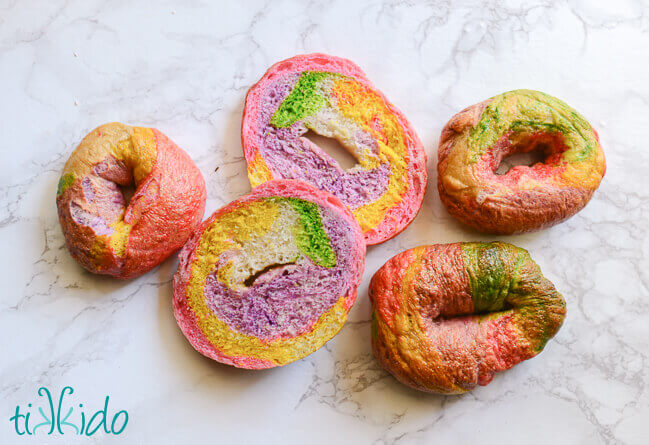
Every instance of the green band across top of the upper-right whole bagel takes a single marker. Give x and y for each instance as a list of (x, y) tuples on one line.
[(528, 111)]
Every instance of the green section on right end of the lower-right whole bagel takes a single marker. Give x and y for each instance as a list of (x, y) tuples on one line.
[(504, 278)]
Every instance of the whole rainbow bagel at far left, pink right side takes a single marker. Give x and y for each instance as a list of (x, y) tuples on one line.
[(104, 234)]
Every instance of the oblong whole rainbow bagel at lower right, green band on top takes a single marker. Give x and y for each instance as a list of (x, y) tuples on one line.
[(448, 316)]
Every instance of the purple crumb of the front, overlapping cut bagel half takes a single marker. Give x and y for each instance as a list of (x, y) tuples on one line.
[(289, 302)]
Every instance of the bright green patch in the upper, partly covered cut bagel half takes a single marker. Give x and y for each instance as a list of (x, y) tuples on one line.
[(303, 101)]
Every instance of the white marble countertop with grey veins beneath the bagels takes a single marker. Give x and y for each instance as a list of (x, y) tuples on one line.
[(68, 66)]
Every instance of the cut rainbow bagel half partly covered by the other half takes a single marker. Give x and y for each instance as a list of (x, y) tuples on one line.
[(334, 98)]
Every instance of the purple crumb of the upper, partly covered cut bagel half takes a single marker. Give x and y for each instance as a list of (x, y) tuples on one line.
[(290, 156)]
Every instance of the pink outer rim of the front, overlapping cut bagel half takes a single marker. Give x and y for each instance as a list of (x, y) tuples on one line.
[(282, 187)]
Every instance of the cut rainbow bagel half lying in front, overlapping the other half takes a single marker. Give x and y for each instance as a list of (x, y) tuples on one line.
[(270, 277)]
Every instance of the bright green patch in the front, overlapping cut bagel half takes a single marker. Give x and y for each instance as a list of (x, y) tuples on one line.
[(310, 237)]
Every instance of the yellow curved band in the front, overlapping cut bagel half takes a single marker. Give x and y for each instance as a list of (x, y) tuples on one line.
[(229, 231)]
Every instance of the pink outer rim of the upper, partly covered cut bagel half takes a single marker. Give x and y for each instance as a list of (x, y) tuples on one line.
[(396, 218)]
